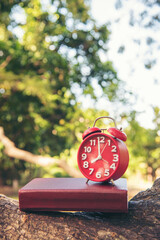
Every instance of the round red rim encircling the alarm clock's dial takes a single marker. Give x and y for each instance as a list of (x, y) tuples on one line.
[(78, 158)]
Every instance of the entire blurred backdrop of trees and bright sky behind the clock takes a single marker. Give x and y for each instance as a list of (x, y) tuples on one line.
[(64, 63)]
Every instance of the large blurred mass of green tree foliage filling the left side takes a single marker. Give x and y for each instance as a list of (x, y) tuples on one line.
[(40, 72)]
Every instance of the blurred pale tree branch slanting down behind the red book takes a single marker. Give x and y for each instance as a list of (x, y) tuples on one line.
[(12, 151)]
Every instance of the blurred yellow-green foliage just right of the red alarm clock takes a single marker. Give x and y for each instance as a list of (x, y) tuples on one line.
[(144, 145)]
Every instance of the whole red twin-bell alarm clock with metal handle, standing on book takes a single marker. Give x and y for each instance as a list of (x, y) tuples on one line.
[(102, 157)]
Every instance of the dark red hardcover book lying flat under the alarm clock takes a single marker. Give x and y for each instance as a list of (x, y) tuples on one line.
[(73, 194)]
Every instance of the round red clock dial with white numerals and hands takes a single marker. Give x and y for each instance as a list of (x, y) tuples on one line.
[(98, 157)]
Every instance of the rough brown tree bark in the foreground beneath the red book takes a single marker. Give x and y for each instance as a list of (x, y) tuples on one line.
[(141, 222)]
